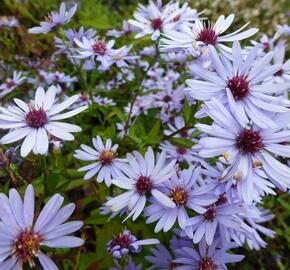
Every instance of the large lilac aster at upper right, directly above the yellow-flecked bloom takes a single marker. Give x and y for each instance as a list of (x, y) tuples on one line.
[(239, 85)]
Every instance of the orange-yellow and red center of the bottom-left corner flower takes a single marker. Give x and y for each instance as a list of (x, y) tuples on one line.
[(27, 246)]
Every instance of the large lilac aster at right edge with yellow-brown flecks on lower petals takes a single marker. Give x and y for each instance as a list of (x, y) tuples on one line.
[(246, 148)]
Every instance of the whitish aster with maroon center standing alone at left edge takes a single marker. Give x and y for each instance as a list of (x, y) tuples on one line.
[(37, 120)]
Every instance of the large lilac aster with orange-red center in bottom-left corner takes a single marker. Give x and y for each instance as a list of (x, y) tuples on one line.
[(22, 239)]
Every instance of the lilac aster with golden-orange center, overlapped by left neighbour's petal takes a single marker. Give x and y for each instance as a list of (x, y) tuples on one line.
[(183, 190)]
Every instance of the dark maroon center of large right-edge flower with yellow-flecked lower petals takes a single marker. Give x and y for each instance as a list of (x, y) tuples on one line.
[(249, 141)]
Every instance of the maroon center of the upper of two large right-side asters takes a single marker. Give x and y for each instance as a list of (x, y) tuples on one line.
[(239, 86)]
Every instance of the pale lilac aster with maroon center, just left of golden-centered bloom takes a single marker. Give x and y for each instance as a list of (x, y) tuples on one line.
[(142, 177)]
